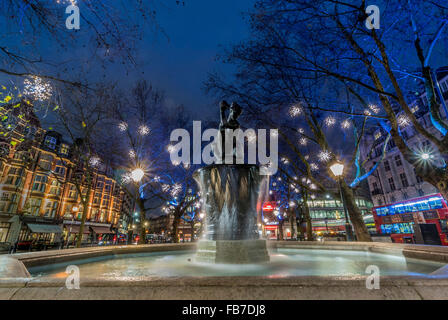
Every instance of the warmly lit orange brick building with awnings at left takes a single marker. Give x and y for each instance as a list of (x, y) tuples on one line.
[(38, 183)]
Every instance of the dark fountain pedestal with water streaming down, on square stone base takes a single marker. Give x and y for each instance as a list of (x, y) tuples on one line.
[(230, 195)]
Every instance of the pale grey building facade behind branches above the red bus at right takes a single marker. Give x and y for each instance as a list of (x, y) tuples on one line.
[(395, 179)]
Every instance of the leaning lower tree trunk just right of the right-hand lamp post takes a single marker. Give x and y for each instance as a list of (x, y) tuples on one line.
[(362, 234)]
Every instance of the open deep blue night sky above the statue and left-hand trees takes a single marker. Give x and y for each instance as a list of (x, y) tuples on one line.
[(176, 58)]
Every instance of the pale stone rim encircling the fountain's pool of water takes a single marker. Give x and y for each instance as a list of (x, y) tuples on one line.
[(21, 286)]
